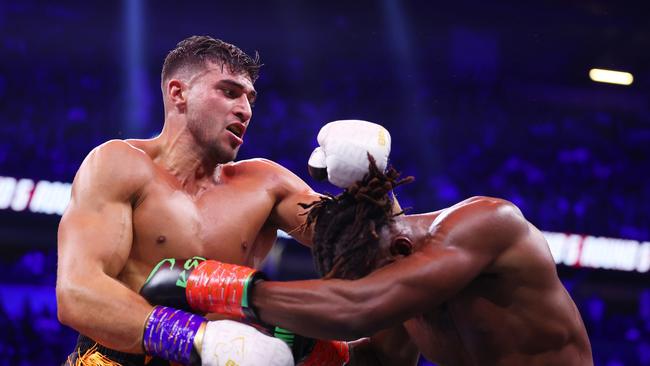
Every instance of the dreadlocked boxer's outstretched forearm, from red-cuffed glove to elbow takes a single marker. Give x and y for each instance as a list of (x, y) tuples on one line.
[(344, 309)]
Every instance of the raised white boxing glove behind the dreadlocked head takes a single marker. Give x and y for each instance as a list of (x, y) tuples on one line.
[(343, 152)]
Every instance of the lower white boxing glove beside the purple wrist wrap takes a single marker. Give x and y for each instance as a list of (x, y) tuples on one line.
[(227, 343)]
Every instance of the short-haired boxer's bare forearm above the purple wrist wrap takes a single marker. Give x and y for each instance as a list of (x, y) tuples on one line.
[(105, 310)]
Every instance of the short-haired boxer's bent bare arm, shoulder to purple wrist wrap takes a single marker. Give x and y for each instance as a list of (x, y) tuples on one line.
[(94, 241)]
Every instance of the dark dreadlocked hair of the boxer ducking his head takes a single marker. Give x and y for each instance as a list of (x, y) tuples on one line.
[(347, 226)]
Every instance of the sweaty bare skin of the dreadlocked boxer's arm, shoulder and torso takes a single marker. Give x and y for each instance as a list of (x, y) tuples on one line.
[(479, 288)]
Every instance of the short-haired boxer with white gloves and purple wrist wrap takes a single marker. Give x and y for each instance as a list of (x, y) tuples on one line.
[(135, 202)]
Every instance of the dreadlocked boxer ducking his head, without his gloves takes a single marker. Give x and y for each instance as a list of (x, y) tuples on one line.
[(472, 284)]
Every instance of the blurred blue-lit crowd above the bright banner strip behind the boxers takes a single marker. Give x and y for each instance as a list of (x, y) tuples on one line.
[(574, 168)]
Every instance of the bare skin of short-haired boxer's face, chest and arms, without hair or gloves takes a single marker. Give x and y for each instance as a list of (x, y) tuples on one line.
[(136, 202)]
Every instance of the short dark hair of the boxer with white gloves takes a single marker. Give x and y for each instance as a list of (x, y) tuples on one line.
[(196, 50)]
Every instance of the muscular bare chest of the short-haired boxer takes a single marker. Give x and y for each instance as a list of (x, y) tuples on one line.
[(227, 222)]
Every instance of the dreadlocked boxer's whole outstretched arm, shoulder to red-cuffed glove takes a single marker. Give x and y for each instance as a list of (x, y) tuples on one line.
[(462, 243)]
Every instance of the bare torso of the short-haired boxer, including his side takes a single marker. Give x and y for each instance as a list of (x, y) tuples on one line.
[(227, 220)]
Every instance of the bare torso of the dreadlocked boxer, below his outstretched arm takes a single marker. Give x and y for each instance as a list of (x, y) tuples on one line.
[(515, 313)]
